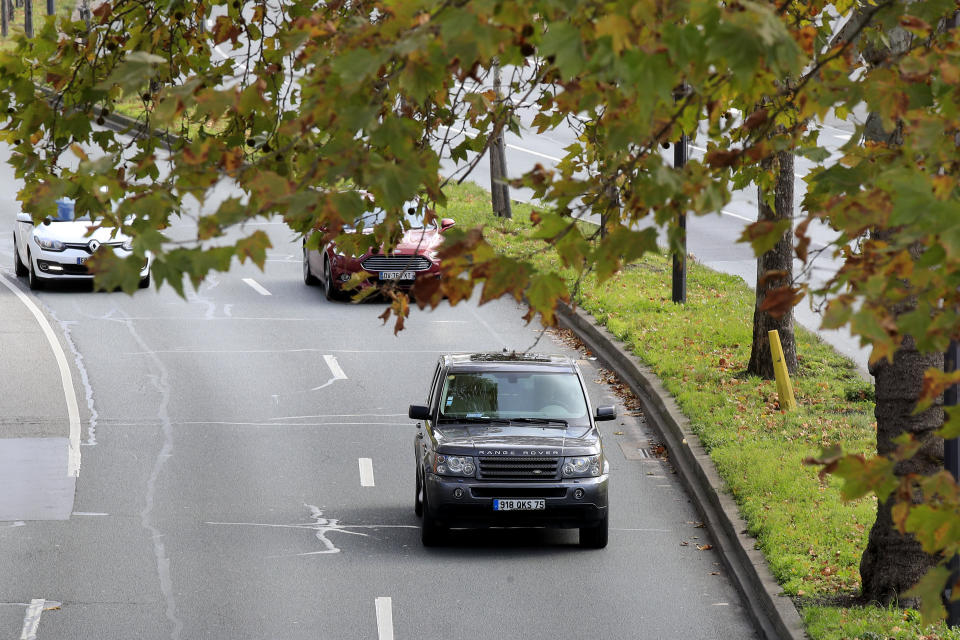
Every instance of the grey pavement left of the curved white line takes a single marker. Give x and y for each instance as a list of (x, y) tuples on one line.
[(34, 422)]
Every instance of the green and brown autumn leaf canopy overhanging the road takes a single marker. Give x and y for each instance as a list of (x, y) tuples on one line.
[(287, 103)]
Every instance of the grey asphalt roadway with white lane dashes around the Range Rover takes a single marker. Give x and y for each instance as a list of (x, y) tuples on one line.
[(221, 491)]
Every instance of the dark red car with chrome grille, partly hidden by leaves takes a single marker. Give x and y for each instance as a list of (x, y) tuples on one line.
[(413, 258)]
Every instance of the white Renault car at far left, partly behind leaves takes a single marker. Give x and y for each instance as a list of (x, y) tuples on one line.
[(59, 248)]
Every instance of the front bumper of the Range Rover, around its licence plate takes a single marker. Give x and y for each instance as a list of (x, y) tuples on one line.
[(474, 507)]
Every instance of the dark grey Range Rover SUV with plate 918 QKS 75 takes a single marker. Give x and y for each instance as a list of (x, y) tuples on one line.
[(509, 440)]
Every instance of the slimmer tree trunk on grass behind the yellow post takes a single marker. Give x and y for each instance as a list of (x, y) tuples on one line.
[(774, 270)]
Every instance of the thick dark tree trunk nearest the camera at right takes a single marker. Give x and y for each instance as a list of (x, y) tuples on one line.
[(893, 562)]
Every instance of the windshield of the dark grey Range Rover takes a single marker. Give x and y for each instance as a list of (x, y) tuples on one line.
[(554, 396)]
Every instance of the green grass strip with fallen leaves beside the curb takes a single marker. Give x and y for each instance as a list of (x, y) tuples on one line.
[(811, 538)]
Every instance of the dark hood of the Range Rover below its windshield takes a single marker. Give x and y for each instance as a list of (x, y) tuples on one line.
[(505, 440)]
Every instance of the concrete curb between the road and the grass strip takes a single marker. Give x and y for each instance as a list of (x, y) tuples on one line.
[(774, 614)]
